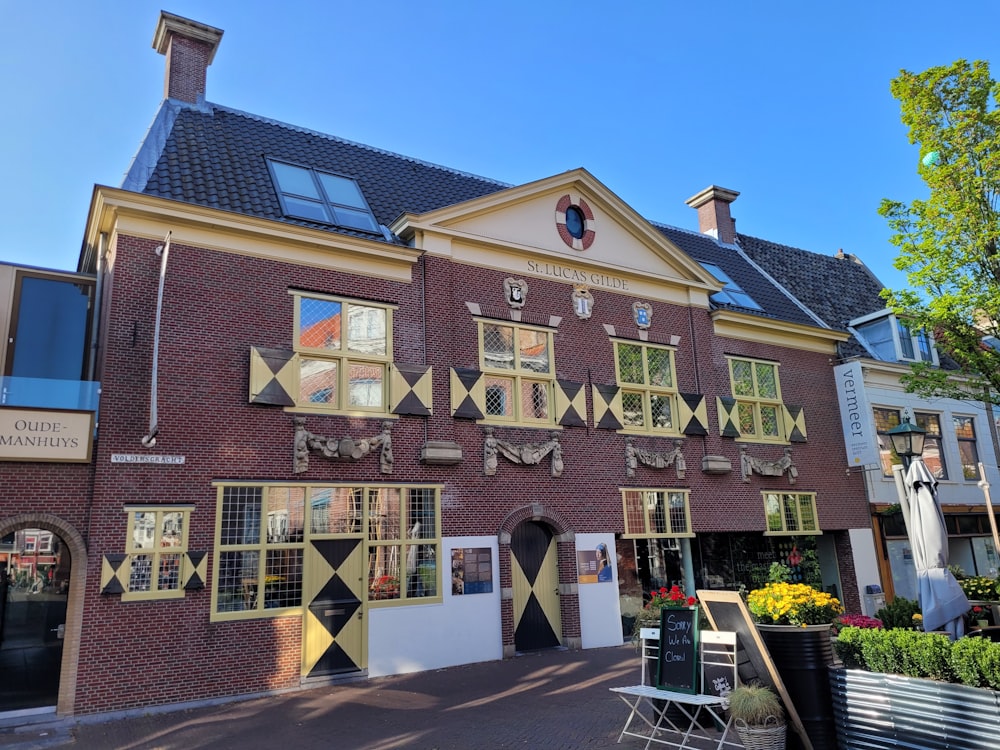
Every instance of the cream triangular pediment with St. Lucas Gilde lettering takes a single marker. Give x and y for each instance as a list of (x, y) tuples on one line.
[(523, 230)]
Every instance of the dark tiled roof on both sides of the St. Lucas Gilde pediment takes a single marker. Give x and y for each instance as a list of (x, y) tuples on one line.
[(215, 156)]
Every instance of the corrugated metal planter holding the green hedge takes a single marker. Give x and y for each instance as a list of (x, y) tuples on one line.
[(873, 711)]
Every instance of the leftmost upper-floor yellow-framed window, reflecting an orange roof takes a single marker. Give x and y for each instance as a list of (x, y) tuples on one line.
[(345, 347)]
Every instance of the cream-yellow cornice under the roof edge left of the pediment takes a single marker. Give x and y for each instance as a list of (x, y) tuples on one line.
[(121, 211)]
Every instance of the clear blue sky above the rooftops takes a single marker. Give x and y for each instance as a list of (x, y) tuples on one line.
[(786, 102)]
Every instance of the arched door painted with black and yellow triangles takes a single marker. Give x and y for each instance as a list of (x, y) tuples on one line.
[(534, 565)]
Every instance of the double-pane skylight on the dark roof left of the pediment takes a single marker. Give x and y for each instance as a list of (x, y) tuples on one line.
[(321, 196)]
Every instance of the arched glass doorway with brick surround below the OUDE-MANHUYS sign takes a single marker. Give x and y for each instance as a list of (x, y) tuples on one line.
[(42, 574)]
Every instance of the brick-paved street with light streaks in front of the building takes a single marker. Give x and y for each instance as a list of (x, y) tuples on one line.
[(554, 700)]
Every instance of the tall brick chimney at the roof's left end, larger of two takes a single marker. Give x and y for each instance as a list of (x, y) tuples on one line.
[(190, 48)]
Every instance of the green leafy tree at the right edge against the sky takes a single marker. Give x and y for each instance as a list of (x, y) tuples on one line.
[(949, 243)]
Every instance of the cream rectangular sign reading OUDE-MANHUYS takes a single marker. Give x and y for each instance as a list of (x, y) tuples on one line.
[(43, 435)]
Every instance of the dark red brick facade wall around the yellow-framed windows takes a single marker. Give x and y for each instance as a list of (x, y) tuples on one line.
[(216, 306)]
